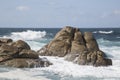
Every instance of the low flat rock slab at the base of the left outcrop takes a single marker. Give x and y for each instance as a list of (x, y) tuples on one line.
[(26, 63)]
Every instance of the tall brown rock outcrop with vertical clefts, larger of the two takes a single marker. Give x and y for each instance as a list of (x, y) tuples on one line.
[(76, 47)]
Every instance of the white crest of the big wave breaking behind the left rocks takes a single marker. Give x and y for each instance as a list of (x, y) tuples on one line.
[(26, 35)]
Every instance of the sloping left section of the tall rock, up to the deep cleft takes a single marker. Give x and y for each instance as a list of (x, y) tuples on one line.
[(60, 46)]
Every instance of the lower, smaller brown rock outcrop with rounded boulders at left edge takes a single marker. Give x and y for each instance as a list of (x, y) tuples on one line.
[(18, 54)]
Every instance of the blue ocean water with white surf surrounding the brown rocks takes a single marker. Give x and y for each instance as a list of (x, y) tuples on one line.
[(107, 38)]
